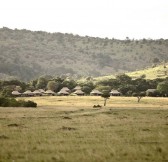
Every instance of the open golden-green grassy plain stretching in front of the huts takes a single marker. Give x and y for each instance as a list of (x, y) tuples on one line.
[(69, 129)]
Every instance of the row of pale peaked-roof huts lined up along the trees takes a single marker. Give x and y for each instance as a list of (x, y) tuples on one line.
[(65, 91)]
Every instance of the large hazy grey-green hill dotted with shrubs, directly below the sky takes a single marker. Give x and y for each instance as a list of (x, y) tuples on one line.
[(25, 54)]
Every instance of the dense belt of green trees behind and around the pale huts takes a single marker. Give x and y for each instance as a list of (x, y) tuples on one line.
[(123, 83)]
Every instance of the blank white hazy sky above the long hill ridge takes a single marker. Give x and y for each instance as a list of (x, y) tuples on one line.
[(99, 18)]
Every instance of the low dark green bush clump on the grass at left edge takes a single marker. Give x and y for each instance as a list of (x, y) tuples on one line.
[(12, 102)]
